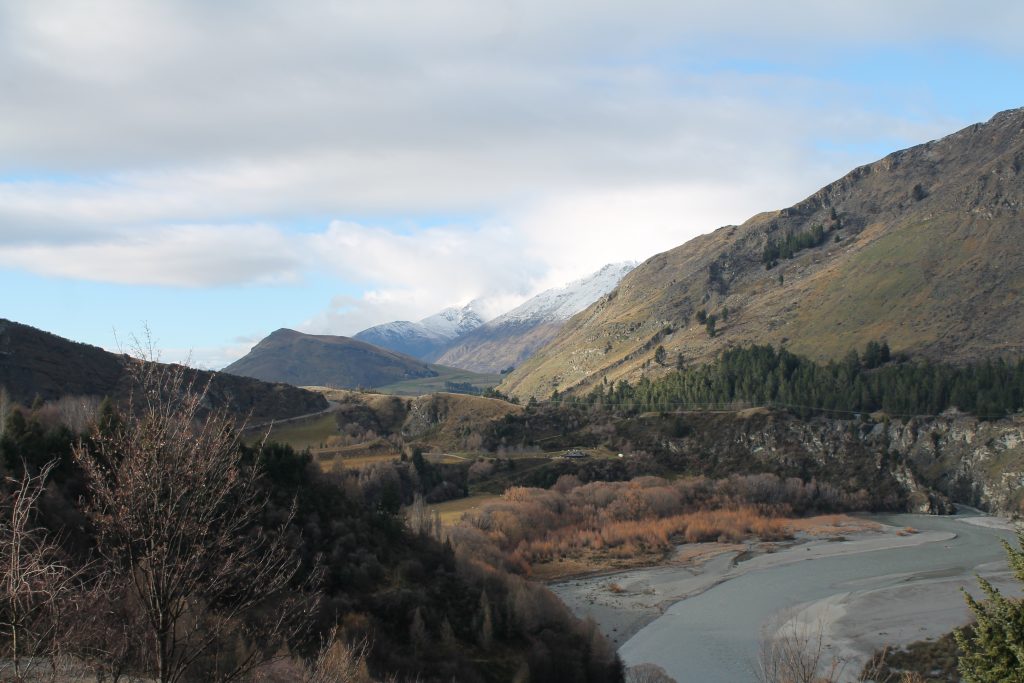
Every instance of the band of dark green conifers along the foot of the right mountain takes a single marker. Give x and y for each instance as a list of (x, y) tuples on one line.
[(862, 382)]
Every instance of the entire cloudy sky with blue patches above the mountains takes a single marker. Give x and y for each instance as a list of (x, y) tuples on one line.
[(212, 172)]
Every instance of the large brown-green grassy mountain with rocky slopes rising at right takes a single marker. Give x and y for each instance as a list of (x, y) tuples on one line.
[(922, 248)]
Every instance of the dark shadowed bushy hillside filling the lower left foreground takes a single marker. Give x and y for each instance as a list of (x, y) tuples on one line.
[(265, 569)]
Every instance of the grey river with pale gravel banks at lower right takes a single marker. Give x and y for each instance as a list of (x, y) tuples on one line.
[(860, 594)]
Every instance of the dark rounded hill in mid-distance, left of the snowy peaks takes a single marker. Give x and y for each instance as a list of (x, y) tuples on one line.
[(302, 360)]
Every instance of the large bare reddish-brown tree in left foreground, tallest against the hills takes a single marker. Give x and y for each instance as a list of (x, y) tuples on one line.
[(177, 514)]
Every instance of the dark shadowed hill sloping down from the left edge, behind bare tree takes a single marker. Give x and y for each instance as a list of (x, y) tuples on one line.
[(34, 363)]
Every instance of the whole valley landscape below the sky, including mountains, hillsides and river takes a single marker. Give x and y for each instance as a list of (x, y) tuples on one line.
[(788, 432)]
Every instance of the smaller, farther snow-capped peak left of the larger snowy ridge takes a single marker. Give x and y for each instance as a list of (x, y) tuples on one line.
[(429, 338)]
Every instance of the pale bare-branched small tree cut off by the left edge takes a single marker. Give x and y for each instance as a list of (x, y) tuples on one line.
[(35, 582)]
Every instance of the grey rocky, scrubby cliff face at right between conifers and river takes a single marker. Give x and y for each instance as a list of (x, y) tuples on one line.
[(925, 465)]
